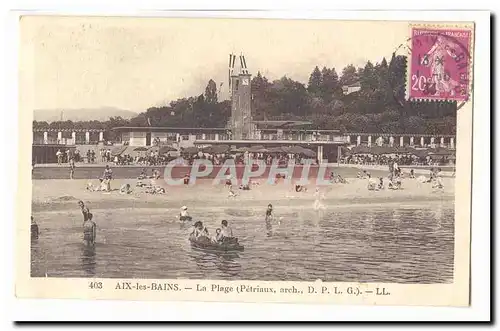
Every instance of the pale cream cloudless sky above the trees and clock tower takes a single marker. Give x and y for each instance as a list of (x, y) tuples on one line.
[(137, 63)]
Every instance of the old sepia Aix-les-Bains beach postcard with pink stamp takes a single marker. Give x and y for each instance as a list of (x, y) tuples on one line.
[(238, 159)]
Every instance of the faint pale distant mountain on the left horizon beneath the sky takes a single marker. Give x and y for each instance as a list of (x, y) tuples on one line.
[(84, 114)]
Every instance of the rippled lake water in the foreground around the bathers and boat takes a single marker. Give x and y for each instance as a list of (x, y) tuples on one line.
[(345, 244)]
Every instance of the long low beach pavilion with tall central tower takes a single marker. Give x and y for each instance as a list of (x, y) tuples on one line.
[(242, 131)]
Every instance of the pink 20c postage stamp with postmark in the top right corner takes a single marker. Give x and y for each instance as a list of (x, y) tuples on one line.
[(440, 63)]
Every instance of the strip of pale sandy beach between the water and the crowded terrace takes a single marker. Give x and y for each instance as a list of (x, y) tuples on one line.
[(61, 194)]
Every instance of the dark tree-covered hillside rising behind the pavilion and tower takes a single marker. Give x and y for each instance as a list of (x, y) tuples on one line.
[(379, 105)]
